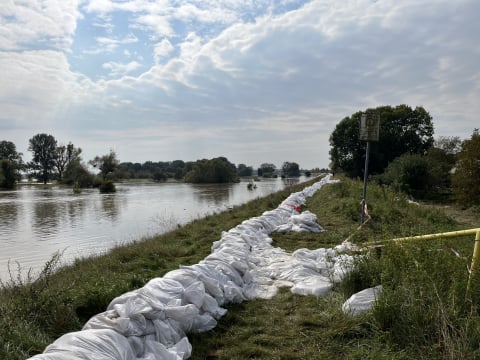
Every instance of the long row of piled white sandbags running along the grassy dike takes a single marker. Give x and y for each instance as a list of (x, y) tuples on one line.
[(152, 322)]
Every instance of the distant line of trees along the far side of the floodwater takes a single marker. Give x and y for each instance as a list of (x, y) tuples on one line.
[(64, 163)]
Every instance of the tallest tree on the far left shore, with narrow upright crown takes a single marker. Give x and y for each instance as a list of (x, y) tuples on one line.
[(43, 148)]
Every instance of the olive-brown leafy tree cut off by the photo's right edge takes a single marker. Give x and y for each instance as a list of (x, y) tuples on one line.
[(465, 184)]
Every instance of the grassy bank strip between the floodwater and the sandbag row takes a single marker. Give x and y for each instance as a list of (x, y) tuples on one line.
[(61, 300)]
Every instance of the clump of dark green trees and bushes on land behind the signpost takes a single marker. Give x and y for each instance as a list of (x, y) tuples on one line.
[(407, 157)]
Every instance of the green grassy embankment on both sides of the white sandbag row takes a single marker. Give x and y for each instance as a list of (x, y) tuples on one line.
[(423, 312)]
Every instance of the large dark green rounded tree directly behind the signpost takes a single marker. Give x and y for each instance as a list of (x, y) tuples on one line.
[(402, 130)]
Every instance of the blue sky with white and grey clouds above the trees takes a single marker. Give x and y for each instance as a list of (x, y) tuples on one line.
[(255, 81)]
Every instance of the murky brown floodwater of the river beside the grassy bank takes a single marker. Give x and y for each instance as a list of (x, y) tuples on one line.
[(36, 222)]
